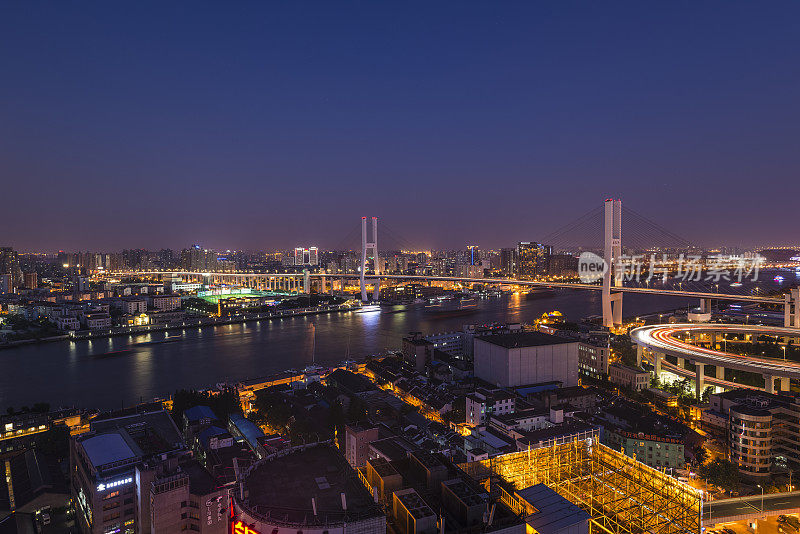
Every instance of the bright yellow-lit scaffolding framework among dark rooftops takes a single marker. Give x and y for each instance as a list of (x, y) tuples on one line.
[(621, 495)]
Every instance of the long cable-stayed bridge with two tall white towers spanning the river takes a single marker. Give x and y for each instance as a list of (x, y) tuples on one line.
[(596, 236)]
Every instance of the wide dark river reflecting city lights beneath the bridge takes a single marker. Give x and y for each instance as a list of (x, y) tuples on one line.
[(83, 374)]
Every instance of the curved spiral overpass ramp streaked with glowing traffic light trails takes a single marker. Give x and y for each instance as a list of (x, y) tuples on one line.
[(663, 340)]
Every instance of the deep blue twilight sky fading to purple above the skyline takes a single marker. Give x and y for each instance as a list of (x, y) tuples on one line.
[(269, 124)]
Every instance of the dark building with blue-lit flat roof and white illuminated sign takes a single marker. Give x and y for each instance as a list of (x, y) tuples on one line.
[(112, 467)]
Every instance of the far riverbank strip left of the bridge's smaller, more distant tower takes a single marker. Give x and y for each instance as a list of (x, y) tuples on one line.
[(189, 322)]
